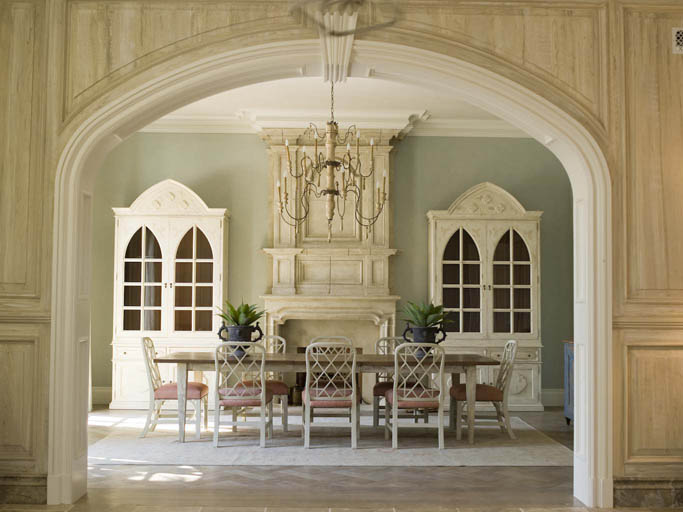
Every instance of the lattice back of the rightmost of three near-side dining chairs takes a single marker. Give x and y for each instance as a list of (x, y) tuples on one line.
[(418, 372)]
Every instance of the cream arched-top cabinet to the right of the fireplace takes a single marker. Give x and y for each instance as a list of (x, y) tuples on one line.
[(484, 267)]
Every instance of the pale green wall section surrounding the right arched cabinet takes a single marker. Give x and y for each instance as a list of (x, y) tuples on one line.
[(431, 172)]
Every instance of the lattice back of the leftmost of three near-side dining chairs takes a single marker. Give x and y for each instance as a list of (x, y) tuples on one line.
[(237, 362)]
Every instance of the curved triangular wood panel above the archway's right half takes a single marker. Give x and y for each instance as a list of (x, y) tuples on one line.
[(562, 43)]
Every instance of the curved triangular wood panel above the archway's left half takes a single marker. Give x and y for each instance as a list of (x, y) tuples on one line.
[(111, 40)]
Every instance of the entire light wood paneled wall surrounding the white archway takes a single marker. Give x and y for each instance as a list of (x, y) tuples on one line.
[(607, 62)]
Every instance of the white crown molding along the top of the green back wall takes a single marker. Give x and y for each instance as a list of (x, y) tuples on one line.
[(417, 125)]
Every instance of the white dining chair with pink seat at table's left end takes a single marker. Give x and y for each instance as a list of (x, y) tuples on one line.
[(197, 393)]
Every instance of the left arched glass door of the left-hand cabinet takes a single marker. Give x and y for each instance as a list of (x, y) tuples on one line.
[(142, 282)]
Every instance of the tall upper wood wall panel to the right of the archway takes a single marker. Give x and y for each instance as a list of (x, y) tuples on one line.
[(653, 183)]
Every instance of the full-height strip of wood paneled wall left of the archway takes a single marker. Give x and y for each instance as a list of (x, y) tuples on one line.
[(25, 244)]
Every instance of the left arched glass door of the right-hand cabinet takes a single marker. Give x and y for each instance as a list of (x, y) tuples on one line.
[(461, 286)]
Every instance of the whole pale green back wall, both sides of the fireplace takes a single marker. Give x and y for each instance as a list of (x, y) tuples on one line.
[(230, 171)]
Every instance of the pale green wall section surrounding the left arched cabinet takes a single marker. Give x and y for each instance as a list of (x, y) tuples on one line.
[(227, 171)]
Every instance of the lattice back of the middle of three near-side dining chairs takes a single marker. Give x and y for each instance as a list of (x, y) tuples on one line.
[(330, 369)]
